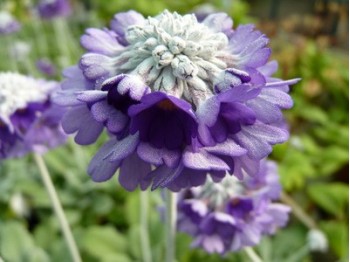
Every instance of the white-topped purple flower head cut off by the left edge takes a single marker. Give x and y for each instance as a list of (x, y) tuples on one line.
[(29, 121)]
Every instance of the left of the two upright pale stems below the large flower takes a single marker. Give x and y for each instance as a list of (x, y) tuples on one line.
[(145, 243)]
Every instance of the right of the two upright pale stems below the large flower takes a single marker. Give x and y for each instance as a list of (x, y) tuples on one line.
[(170, 225)]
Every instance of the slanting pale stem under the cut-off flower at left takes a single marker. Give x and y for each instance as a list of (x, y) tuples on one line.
[(58, 208)]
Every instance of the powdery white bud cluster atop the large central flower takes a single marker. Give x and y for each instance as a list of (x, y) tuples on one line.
[(175, 54)]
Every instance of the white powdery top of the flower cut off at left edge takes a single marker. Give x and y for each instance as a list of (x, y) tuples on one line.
[(17, 91)]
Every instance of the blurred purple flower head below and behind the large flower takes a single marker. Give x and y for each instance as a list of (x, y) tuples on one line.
[(233, 214)]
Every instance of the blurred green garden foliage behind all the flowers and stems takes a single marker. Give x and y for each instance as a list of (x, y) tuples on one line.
[(309, 39)]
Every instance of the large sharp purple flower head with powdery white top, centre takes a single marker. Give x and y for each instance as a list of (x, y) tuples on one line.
[(180, 98)]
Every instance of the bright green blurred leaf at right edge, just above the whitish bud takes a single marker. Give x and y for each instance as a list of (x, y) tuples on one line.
[(332, 197)]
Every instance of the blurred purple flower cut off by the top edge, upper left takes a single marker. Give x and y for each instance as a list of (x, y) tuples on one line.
[(49, 9)]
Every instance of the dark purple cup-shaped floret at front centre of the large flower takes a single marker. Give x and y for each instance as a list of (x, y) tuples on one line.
[(163, 121)]
